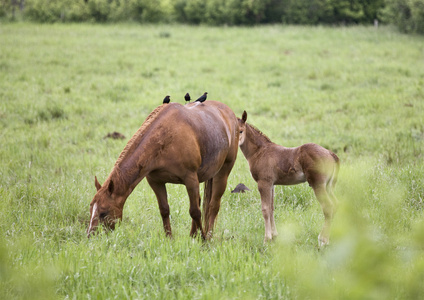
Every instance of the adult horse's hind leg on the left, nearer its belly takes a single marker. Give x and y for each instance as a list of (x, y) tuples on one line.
[(192, 186)]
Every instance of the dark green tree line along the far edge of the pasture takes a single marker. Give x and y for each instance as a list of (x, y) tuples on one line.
[(408, 15)]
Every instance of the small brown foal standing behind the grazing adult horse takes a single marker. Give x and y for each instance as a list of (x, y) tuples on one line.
[(271, 164)]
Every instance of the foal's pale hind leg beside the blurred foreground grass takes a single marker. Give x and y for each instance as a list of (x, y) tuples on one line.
[(328, 210)]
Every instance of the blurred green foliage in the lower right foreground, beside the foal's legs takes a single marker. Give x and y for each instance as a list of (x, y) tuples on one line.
[(364, 260)]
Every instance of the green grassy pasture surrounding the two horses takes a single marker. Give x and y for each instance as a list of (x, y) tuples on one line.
[(357, 91)]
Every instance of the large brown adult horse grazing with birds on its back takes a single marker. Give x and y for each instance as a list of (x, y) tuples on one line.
[(177, 144)]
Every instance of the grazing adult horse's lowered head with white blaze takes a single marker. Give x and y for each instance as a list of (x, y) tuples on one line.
[(105, 207)]
